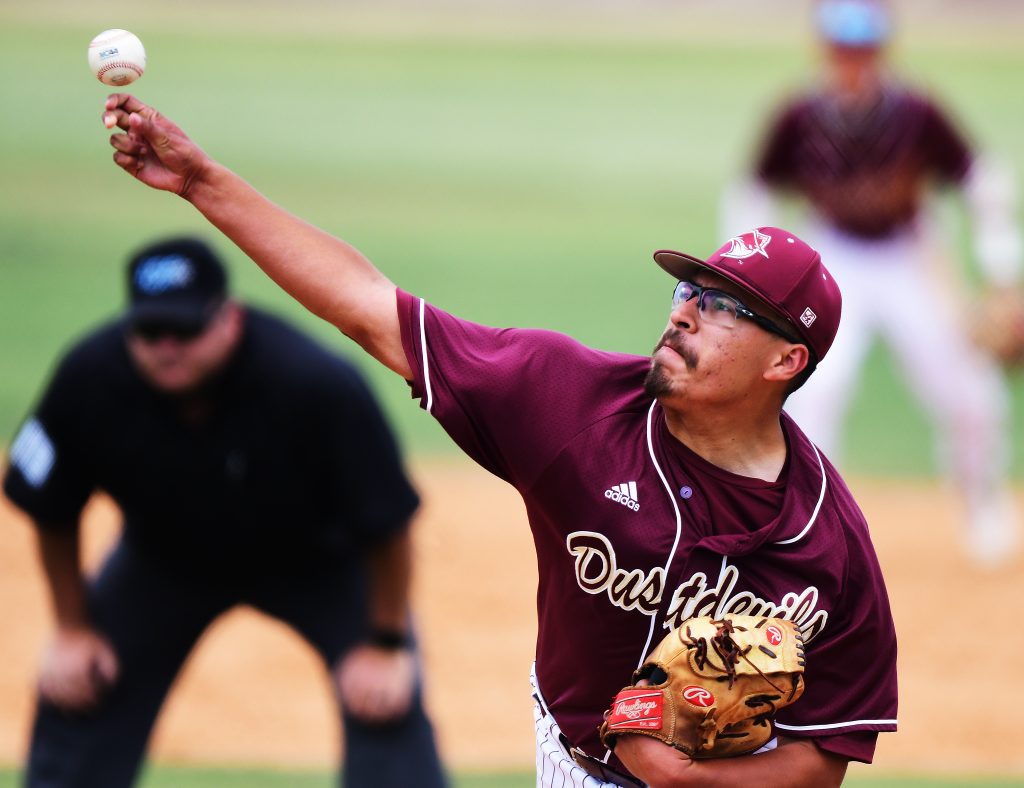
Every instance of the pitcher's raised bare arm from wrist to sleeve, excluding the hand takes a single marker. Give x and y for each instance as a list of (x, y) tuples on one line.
[(326, 275)]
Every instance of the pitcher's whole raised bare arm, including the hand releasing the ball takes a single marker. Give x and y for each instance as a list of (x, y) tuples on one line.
[(327, 276)]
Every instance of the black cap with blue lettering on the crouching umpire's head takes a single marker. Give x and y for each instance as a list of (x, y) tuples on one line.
[(178, 282)]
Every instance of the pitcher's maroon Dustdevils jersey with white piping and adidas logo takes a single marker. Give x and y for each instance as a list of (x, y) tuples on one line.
[(635, 534)]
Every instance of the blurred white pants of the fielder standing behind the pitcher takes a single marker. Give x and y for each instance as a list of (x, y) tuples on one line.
[(897, 289)]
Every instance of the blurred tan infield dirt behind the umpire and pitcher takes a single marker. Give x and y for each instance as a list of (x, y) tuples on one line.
[(255, 694)]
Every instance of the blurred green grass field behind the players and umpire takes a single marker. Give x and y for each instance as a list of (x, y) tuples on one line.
[(516, 179)]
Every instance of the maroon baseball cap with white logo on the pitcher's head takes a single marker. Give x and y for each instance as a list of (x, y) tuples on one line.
[(783, 272)]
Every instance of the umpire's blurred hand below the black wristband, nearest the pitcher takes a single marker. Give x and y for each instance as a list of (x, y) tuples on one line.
[(376, 685)]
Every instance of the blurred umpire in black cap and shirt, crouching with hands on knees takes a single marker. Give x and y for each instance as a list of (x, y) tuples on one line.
[(251, 467)]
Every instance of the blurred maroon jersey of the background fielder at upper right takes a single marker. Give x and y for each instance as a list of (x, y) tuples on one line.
[(865, 170)]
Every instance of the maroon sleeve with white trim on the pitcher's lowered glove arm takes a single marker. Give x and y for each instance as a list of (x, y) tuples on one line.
[(851, 690)]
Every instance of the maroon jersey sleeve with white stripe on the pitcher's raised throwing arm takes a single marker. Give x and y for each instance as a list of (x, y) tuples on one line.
[(511, 399)]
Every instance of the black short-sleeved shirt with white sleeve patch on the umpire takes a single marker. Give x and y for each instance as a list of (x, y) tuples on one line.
[(294, 460)]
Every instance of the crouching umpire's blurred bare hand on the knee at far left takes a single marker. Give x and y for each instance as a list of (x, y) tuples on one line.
[(78, 668)]
